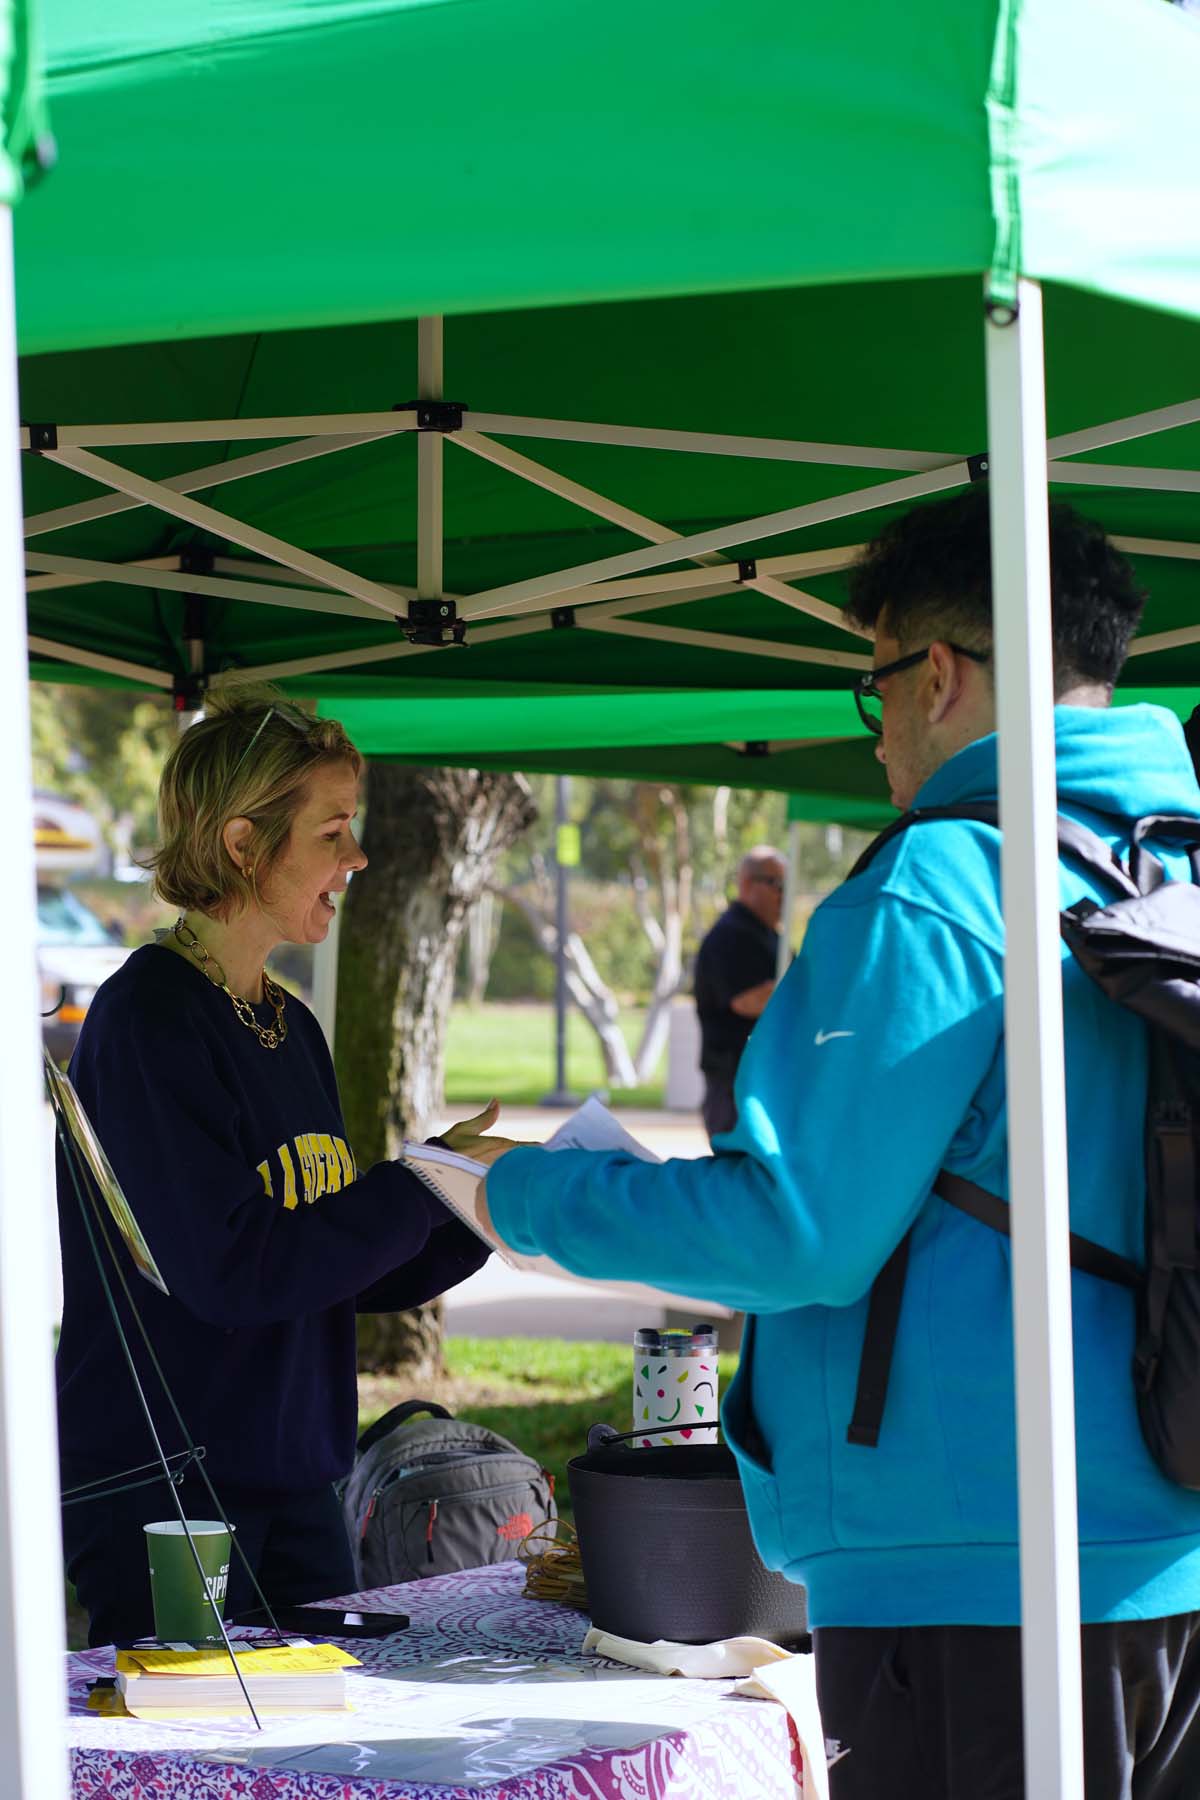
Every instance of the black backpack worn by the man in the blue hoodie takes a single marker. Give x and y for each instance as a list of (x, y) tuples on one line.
[(1145, 953)]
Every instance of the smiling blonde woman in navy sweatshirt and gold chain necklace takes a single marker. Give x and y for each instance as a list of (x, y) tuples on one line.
[(215, 1097)]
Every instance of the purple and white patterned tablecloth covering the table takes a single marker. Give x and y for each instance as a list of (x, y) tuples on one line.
[(609, 1734)]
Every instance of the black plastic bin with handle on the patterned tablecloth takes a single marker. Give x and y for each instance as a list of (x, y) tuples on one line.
[(667, 1547)]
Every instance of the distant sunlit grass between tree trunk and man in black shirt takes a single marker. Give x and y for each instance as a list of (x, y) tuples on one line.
[(506, 1050)]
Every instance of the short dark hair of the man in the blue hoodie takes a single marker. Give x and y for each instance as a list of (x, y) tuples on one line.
[(933, 573)]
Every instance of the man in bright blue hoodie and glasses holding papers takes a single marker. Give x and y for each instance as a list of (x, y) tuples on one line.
[(879, 1063)]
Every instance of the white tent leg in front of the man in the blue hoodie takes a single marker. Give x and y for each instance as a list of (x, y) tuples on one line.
[(1037, 1126)]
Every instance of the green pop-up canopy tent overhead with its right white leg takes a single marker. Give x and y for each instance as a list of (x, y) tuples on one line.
[(706, 283)]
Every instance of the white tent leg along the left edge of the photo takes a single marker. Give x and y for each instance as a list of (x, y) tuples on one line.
[(33, 1700)]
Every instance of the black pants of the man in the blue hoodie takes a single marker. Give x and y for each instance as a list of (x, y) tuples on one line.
[(935, 1711)]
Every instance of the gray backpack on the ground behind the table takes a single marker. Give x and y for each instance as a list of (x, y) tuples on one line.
[(436, 1495)]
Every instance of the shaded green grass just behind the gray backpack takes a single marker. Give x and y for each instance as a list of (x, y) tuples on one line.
[(539, 1392)]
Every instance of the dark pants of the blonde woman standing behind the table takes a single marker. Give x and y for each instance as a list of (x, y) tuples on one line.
[(296, 1545)]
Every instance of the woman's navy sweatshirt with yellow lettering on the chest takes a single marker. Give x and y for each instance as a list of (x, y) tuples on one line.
[(237, 1167)]
